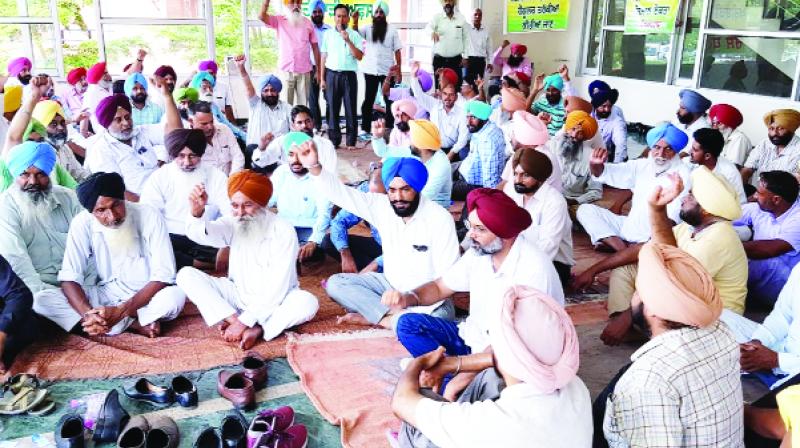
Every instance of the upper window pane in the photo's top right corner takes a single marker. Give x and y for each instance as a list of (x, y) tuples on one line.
[(752, 15)]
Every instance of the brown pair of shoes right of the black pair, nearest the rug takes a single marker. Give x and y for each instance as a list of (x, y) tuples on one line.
[(240, 387)]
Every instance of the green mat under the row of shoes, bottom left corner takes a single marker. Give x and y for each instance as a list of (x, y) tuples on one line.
[(282, 389)]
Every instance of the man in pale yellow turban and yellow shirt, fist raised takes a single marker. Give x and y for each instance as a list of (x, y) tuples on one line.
[(706, 234)]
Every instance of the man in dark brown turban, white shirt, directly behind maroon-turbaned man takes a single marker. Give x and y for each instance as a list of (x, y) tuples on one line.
[(551, 228)]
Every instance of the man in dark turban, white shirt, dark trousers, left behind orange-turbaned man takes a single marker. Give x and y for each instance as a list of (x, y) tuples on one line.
[(168, 188)]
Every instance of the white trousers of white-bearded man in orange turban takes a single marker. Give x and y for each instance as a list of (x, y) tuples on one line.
[(217, 299)]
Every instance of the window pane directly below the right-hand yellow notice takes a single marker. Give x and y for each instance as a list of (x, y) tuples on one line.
[(636, 56)]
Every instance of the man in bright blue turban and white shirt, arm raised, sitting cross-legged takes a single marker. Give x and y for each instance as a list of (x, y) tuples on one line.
[(418, 237)]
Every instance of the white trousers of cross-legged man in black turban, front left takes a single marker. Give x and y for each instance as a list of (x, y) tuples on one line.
[(165, 305)]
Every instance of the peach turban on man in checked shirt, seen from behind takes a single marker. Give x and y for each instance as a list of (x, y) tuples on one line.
[(674, 286)]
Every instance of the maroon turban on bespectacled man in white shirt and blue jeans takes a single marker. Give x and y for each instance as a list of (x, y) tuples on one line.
[(498, 212)]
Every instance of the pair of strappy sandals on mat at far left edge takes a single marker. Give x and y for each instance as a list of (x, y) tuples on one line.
[(23, 393)]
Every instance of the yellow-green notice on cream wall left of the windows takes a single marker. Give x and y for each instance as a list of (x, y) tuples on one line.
[(527, 16)]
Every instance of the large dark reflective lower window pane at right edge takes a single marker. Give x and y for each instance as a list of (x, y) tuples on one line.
[(759, 65)]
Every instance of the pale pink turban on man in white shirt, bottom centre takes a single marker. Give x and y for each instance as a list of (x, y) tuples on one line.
[(534, 340)]
